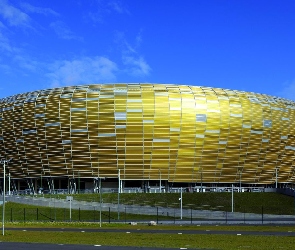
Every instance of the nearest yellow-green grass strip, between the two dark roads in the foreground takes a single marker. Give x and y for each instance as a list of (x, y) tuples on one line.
[(176, 240)]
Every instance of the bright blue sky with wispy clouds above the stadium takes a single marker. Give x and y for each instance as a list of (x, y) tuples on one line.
[(234, 44)]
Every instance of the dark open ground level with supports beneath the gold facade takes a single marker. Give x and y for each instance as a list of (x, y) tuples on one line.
[(112, 185)]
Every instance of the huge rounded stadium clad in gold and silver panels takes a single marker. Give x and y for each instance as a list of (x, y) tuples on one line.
[(146, 135)]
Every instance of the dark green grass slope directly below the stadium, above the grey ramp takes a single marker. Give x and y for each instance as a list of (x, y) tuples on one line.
[(271, 203)]
